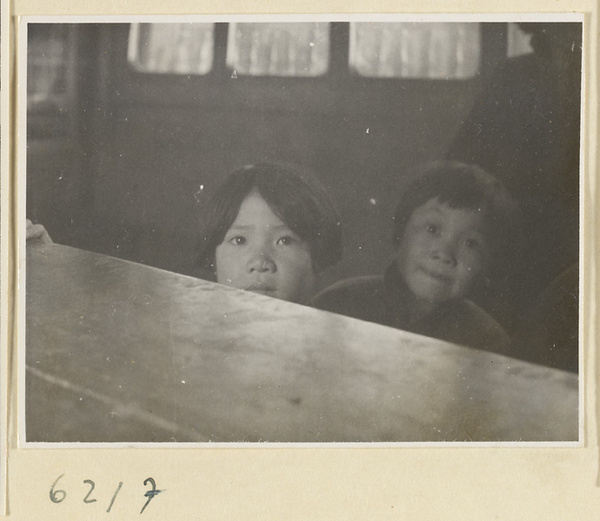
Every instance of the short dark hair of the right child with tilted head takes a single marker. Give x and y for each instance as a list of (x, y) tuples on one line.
[(466, 186)]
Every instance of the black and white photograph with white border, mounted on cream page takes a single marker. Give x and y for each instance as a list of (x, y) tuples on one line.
[(300, 230)]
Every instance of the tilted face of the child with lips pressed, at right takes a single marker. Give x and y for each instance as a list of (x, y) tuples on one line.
[(442, 252)]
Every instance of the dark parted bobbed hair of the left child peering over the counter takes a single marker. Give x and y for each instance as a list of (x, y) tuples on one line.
[(293, 194)]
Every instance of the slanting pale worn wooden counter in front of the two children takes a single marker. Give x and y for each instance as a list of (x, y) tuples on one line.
[(120, 352)]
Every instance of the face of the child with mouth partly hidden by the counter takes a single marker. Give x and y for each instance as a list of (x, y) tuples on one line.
[(260, 253)]
